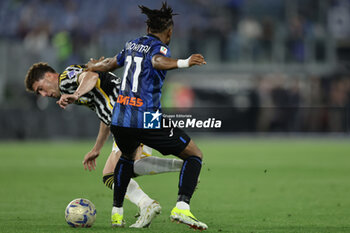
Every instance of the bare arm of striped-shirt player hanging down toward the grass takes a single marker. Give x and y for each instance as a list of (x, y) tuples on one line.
[(89, 161)]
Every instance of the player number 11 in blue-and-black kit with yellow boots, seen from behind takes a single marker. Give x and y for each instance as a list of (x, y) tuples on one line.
[(146, 61)]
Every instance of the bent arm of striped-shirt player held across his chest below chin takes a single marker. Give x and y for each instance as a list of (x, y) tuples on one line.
[(87, 81)]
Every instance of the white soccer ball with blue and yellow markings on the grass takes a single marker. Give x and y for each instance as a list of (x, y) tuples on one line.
[(80, 213)]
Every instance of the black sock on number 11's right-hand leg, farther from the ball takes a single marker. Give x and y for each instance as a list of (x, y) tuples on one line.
[(188, 178)]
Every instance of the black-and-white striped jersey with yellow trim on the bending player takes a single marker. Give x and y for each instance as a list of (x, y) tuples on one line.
[(100, 99)]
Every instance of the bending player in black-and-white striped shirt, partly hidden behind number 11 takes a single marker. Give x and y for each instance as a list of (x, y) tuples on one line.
[(99, 92)]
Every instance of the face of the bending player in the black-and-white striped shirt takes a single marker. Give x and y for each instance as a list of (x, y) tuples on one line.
[(47, 87)]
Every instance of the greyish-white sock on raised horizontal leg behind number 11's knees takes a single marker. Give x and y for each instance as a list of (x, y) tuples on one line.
[(155, 165)]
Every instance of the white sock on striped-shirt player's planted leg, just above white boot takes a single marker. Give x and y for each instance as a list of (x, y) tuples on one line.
[(135, 194)]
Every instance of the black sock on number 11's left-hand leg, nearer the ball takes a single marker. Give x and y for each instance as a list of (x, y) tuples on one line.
[(122, 175)]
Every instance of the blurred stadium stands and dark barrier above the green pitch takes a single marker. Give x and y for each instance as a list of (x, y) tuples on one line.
[(273, 66)]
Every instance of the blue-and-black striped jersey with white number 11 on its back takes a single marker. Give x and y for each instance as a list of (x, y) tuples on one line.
[(140, 90)]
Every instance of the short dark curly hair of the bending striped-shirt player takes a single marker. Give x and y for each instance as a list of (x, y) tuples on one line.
[(35, 73)]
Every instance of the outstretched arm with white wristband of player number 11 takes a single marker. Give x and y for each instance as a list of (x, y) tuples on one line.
[(160, 62)]
